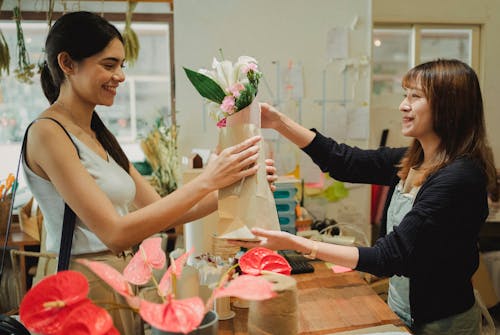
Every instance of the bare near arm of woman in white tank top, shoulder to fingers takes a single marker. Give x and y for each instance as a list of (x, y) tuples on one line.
[(51, 152)]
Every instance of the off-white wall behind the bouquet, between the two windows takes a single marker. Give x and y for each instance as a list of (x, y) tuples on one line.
[(278, 30)]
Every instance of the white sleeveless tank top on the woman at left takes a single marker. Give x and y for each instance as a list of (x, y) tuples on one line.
[(115, 182)]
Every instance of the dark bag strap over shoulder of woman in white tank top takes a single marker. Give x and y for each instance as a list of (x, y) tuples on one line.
[(69, 215)]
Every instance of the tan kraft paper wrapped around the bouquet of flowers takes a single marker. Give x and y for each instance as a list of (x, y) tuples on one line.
[(248, 203)]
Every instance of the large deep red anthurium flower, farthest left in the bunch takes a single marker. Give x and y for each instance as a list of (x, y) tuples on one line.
[(45, 307)]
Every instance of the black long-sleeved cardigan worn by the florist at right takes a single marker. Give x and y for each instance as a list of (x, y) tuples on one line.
[(435, 245)]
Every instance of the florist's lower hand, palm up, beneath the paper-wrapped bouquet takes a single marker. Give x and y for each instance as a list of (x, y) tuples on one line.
[(271, 239)]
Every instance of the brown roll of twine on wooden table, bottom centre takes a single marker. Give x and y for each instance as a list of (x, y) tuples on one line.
[(279, 315)]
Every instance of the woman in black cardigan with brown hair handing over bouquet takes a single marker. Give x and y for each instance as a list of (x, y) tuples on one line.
[(436, 205)]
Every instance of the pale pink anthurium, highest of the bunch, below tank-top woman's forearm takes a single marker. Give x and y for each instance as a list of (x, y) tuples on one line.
[(150, 255)]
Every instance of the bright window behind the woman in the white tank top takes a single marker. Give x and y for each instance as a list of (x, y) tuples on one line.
[(143, 97)]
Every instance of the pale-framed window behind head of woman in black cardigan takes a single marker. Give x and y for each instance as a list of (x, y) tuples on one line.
[(396, 49)]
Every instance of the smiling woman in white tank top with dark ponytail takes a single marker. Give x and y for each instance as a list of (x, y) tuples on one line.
[(71, 157)]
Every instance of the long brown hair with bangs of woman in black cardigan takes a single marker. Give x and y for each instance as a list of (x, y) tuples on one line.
[(454, 95)]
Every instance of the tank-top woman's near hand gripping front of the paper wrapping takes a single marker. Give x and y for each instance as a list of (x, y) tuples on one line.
[(232, 164)]
